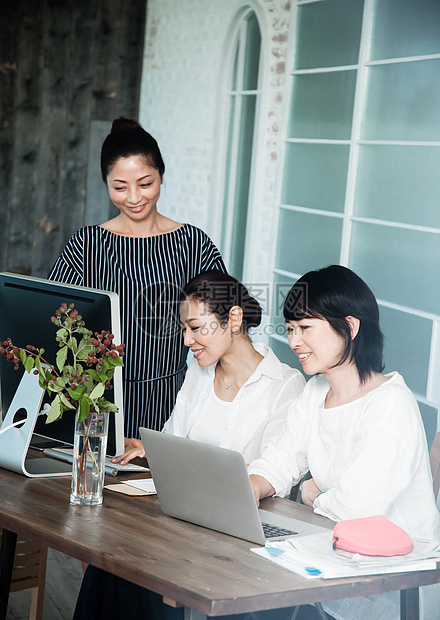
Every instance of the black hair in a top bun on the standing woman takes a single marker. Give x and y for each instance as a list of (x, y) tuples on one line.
[(128, 138)]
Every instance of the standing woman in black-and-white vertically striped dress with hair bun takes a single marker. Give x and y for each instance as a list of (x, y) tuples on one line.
[(147, 259)]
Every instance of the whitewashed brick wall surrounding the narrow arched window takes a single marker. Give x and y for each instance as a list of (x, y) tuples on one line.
[(182, 92)]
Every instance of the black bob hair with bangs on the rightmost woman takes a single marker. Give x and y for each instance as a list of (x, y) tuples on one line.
[(332, 294)]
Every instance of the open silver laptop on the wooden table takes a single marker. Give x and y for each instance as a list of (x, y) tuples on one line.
[(210, 486)]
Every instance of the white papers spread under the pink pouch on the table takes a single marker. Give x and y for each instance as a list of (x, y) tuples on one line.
[(313, 557)]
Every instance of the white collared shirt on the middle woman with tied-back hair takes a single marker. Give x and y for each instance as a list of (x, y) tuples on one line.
[(257, 413)]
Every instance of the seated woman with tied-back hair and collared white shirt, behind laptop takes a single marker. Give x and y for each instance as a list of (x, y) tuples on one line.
[(236, 393)]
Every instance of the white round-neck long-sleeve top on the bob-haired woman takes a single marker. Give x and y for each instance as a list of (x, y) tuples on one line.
[(370, 457)]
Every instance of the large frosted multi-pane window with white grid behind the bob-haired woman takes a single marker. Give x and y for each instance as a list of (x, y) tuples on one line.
[(360, 183)]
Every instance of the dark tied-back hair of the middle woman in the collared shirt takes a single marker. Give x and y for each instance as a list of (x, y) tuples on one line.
[(220, 292)]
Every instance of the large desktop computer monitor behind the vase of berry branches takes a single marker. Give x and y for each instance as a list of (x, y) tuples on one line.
[(26, 306)]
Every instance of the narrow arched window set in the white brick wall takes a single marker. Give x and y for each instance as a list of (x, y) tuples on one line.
[(243, 98)]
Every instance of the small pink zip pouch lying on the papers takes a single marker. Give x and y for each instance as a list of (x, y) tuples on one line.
[(371, 536)]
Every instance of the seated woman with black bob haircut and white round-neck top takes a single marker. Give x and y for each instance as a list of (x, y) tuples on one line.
[(359, 432)]
